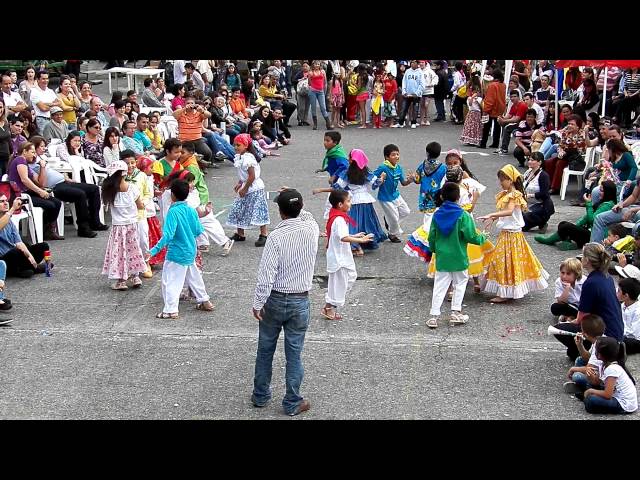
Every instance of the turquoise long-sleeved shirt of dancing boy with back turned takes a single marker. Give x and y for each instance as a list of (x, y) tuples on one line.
[(179, 232)]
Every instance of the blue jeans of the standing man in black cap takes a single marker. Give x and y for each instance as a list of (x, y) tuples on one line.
[(291, 314)]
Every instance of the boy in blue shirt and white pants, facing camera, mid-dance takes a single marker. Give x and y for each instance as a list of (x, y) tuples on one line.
[(394, 206)]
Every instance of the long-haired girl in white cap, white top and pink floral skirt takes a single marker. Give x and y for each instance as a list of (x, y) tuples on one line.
[(123, 259)]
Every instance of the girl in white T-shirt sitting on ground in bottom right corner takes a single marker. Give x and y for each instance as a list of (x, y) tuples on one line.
[(619, 394)]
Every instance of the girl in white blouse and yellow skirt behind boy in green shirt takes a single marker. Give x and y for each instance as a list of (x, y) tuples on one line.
[(470, 190)]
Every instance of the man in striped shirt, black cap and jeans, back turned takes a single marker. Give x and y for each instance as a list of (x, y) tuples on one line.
[(282, 299)]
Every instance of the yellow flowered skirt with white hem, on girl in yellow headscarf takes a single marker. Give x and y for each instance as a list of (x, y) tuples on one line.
[(513, 269)]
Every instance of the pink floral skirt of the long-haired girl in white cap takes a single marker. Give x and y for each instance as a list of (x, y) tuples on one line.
[(123, 257)]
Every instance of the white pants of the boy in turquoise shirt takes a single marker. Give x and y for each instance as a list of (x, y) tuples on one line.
[(174, 277)]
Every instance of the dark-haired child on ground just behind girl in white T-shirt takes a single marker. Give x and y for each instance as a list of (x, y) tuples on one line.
[(584, 373)]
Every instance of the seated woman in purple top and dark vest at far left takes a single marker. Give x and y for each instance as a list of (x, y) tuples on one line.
[(24, 180)]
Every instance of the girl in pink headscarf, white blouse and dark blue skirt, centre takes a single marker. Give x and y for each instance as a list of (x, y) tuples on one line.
[(359, 181)]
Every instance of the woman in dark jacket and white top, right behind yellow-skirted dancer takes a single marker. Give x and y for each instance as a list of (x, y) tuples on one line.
[(536, 185)]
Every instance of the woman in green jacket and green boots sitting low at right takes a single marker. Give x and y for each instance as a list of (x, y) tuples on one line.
[(576, 235)]
